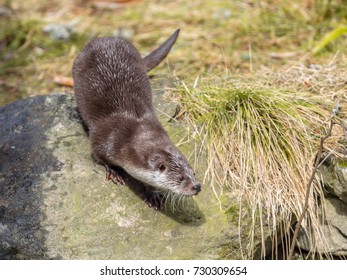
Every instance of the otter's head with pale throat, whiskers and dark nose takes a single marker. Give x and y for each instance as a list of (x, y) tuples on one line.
[(166, 169)]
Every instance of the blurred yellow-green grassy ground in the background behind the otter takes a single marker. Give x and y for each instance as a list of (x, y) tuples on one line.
[(239, 36)]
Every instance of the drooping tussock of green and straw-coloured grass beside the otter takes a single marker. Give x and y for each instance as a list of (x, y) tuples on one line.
[(261, 140)]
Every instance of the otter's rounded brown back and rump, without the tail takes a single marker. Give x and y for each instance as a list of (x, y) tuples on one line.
[(110, 76)]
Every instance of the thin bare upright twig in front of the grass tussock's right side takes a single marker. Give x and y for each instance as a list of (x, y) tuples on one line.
[(308, 189)]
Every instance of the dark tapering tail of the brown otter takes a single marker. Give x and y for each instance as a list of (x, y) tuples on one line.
[(155, 57)]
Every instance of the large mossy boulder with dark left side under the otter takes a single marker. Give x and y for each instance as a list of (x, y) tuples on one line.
[(55, 202)]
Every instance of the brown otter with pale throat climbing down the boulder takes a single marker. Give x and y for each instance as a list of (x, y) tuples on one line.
[(114, 99)]
